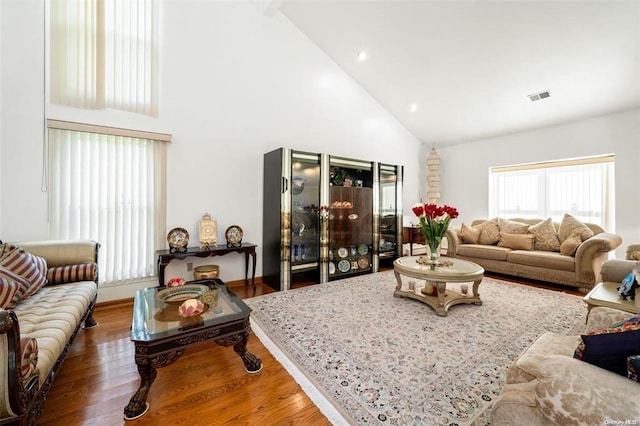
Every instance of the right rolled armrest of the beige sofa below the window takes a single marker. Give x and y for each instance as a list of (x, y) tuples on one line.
[(592, 253)]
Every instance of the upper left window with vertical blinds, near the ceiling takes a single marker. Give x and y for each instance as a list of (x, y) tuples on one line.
[(104, 54)]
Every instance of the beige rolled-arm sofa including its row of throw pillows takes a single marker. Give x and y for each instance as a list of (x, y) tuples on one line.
[(536, 249)]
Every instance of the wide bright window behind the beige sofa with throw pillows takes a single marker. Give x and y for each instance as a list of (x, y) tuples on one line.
[(583, 188)]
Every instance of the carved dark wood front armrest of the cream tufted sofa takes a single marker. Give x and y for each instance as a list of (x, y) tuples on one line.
[(15, 392)]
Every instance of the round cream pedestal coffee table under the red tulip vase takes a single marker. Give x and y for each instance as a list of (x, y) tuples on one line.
[(450, 271)]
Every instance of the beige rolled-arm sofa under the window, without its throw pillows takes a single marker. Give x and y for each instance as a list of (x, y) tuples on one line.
[(581, 270)]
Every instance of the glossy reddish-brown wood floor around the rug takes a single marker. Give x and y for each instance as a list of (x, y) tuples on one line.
[(206, 386)]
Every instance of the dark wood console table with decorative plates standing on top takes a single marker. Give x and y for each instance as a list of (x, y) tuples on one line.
[(249, 249)]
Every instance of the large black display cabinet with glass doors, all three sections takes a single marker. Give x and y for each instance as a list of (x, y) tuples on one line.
[(327, 217)]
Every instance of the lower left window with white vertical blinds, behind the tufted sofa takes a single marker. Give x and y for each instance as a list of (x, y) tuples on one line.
[(108, 185)]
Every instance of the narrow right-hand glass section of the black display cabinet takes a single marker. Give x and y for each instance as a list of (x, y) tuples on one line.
[(390, 212)]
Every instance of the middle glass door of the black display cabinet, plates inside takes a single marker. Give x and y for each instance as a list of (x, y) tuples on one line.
[(350, 218)]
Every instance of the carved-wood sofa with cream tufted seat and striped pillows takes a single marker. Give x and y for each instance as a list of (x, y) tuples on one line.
[(37, 331)]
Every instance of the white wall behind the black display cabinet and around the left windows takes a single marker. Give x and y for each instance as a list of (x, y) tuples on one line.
[(235, 84)]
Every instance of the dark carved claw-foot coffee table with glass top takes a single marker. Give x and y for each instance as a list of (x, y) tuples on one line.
[(161, 335)]
